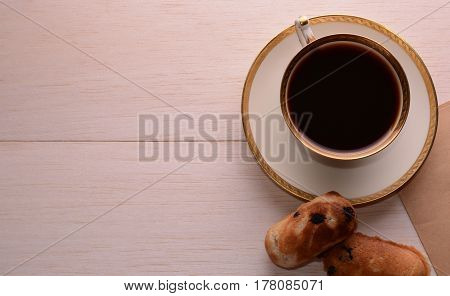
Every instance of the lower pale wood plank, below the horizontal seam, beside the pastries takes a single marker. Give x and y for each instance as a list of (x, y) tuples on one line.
[(207, 218)]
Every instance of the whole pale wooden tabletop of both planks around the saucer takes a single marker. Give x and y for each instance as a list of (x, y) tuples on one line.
[(75, 75)]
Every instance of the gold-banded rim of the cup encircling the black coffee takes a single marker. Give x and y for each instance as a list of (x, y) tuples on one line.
[(381, 143)]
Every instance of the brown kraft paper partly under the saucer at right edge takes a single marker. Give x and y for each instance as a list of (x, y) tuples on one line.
[(427, 197)]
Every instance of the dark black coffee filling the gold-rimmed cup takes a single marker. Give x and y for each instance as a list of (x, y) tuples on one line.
[(352, 92)]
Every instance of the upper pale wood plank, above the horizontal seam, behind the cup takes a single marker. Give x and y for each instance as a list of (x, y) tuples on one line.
[(195, 55)]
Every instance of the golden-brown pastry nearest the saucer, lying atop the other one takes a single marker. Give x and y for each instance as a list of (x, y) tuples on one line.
[(313, 228)]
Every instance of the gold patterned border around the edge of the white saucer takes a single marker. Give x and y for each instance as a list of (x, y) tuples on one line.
[(389, 190)]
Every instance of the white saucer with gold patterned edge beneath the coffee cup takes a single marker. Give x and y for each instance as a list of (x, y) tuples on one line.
[(364, 180)]
